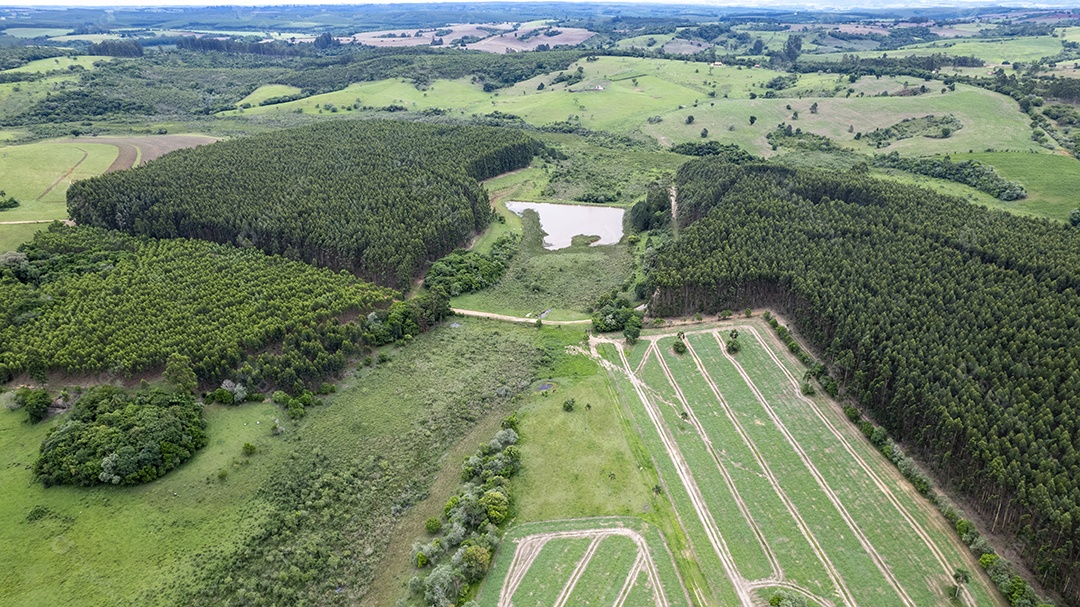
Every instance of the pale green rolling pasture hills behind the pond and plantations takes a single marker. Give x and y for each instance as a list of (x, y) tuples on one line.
[(623, 95)]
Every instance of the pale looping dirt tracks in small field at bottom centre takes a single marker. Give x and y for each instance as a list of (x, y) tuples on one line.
[(530, 548)]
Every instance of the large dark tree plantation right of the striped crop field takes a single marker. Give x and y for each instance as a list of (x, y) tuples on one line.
[(954, 327)]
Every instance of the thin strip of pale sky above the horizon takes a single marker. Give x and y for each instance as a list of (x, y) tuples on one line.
[(839, 6)]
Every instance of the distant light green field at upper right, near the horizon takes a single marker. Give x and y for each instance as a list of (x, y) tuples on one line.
[(993, 51)]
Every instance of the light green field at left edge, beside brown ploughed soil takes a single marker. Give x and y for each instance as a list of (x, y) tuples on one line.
[(29, 172)]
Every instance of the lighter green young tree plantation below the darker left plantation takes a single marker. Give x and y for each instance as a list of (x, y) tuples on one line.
[(88, 301)]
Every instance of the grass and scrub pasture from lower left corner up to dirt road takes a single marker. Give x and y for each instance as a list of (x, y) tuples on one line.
[(147, 545)]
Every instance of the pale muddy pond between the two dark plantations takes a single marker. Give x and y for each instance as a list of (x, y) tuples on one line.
[(564, 222)]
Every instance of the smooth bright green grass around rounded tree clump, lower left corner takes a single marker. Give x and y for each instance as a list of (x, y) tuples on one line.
[(110, 546)]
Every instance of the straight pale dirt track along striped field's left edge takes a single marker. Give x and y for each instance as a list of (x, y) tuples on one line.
[(683, 470)]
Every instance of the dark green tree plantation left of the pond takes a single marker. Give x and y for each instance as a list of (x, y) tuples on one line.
[(380, 199)]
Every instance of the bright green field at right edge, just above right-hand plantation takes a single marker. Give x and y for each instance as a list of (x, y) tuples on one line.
[(1051, 181)]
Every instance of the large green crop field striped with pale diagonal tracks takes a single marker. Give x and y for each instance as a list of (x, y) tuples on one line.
[(789, 494)]
